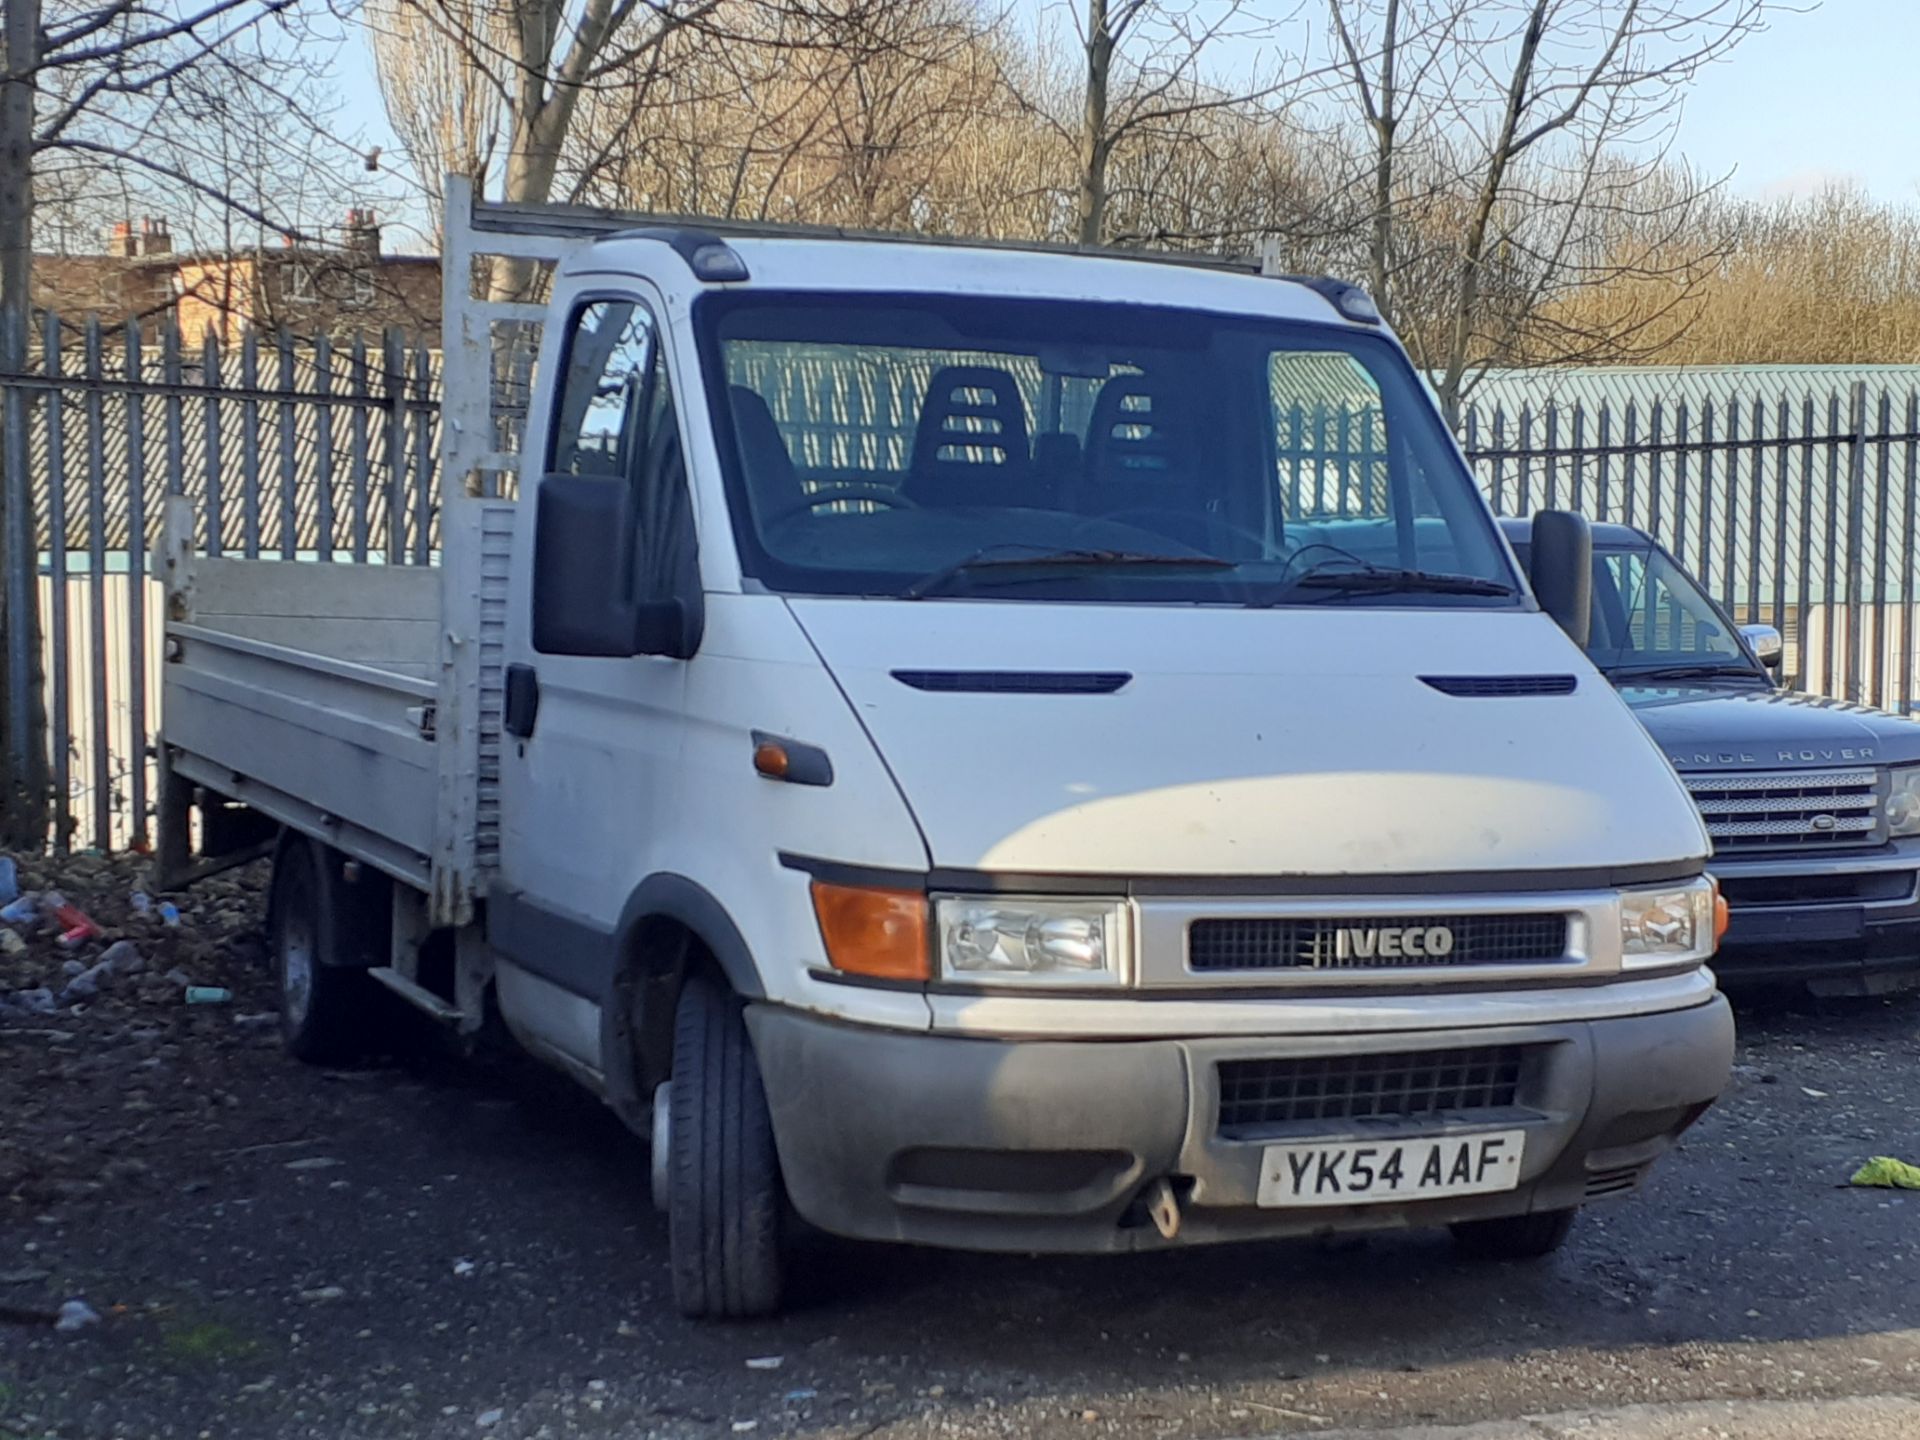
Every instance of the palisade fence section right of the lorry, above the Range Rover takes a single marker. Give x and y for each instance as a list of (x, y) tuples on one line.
[(1794, 508)]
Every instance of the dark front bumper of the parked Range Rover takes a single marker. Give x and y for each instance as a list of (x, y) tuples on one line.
[(1844, 923)]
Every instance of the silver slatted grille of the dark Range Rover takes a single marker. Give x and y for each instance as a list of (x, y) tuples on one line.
[(1817, 809)]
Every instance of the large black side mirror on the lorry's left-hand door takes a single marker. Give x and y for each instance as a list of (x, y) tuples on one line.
[(583, 565)]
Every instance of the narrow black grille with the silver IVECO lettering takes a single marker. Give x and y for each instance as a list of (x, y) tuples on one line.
[(1358, 942)]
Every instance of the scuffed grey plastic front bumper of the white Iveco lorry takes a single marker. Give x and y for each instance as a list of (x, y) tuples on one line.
[(1051, 1145)]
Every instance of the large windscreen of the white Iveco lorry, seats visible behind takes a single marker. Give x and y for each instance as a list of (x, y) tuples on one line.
[(1086, 452)]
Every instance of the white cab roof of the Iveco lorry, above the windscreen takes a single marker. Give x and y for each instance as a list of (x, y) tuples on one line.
[(959, 270)]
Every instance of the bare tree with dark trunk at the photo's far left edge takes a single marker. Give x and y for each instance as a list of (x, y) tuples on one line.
[(203, 103)]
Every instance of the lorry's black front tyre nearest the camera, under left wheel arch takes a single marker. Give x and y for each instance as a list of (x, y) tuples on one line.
[(723, 1176)]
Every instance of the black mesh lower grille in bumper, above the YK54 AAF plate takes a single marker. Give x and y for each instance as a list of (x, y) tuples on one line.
[(1260, 1095)]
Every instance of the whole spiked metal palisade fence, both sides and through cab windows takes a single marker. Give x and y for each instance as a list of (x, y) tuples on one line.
[(1794, 500)]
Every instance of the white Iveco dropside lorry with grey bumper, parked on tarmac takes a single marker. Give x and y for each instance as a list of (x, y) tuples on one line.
[(971, 746)]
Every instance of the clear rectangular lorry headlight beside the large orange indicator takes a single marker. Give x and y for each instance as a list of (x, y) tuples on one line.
[(1005, 938)]
